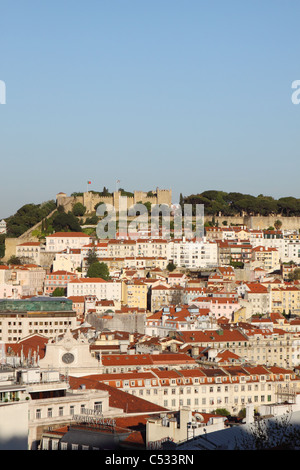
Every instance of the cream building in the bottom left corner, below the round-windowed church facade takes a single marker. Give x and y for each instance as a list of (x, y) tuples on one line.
[(33, 400)]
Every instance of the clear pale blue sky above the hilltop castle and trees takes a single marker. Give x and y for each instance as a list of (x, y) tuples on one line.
[(188, 95)]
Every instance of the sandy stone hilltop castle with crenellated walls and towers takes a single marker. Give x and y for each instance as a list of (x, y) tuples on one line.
[(90, 199)]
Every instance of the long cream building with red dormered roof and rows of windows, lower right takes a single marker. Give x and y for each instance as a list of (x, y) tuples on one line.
[(207, 389)]
